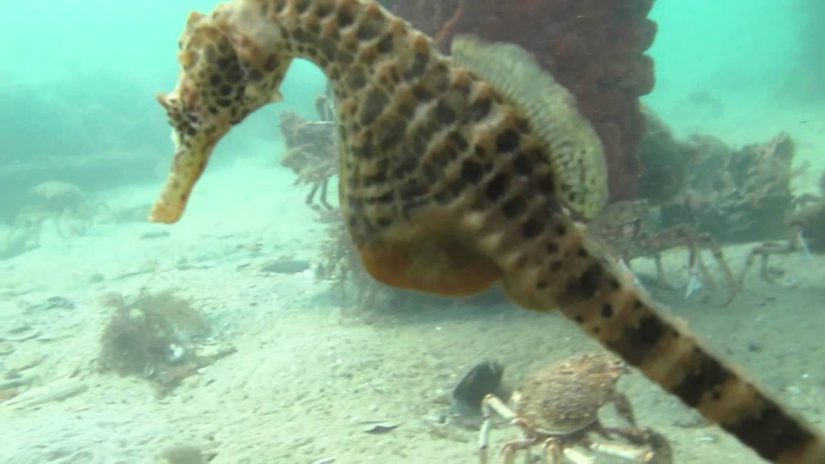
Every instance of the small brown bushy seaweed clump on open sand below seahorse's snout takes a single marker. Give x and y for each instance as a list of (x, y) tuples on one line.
[(153, 337)]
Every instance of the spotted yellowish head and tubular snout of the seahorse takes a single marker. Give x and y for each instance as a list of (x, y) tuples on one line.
[(227, 73)]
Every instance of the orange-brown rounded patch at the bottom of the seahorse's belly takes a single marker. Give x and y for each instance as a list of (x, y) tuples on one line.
[(438, 265)]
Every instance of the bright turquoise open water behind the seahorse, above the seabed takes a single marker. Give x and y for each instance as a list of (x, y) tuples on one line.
[(77, 65)]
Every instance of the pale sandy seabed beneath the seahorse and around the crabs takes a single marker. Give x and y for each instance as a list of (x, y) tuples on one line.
[(312, 372)]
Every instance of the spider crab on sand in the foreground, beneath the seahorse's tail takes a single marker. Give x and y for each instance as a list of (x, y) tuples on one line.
[(558, 406)]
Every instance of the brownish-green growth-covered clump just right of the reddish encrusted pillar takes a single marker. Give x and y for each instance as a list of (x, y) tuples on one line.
[(735, 195)]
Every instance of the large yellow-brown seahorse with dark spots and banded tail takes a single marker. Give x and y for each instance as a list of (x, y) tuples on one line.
[(452, 182)]
